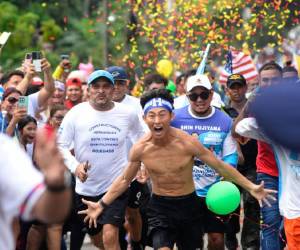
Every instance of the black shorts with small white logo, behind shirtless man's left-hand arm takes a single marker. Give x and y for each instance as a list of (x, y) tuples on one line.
[(138, 193)]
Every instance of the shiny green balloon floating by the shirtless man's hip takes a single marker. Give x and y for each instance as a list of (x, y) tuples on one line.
[(223, 198)]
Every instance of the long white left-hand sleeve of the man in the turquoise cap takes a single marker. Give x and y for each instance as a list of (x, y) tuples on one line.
[(66, 134)]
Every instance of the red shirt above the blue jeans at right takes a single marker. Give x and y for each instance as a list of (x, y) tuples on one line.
[(265, 160)]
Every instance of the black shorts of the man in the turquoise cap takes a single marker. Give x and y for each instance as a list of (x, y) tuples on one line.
[(114, 214)]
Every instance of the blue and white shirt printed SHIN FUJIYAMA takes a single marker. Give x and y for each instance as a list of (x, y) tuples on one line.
[(214, 132)]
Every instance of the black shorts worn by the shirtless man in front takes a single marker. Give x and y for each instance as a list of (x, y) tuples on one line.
[(175, 220)]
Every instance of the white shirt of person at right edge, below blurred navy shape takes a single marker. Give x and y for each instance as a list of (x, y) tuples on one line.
[(288, 163)]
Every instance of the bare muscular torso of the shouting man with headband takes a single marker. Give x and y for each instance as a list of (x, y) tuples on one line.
[(170, 165)]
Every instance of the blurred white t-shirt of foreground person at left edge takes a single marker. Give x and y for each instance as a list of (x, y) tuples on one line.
[(20, 187)]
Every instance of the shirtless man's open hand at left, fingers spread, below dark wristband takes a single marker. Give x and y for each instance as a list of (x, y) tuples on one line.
[(92, 212)]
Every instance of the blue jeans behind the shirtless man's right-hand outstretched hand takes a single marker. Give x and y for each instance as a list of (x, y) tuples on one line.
[(270, 235)]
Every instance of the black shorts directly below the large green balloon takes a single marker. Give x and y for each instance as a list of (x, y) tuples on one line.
[(212, 223)]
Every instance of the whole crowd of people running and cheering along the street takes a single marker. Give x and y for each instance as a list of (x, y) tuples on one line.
[(139, 169)]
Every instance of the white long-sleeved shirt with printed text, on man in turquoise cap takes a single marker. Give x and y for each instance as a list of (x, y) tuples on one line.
[(100, 138)]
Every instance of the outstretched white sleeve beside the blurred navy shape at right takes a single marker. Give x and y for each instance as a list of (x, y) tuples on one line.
[(249, 128)]
